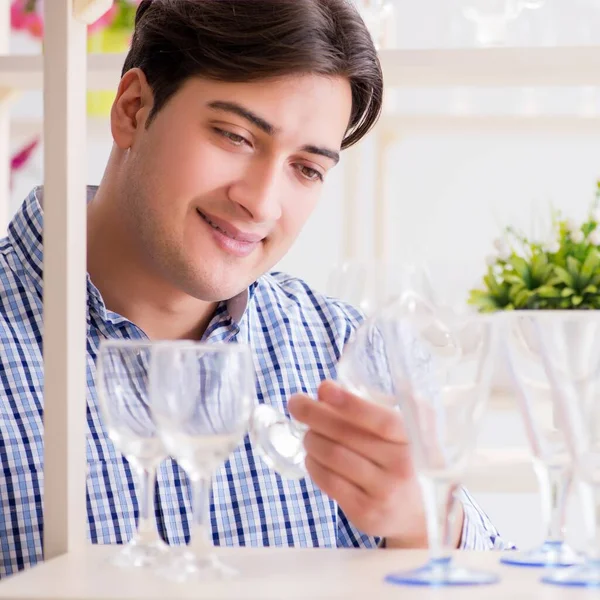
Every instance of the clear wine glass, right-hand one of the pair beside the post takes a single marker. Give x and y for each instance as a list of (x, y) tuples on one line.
[(201, 398)]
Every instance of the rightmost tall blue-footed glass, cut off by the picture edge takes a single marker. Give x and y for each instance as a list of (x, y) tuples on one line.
[(569, 344)]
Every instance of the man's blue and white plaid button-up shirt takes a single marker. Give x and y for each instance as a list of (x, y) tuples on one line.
[(296, 335)]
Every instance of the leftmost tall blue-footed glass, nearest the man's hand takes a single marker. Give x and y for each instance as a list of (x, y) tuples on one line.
[(442, 403)]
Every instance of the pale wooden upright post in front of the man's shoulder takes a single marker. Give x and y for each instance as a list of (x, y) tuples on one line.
[(65, 320)]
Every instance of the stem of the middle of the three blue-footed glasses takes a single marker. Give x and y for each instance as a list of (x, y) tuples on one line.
[(555, 484)]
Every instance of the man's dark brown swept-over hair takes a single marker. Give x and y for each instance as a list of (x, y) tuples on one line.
[(249, 40)]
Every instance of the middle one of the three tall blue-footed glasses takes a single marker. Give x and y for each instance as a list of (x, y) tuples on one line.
[(551, 460)]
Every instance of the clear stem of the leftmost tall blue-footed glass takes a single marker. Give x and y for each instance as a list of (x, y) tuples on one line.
[(440, 507)]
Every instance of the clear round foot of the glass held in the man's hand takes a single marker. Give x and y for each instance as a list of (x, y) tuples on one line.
[(279, 440)]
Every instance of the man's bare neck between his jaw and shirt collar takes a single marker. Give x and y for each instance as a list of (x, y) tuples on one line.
[(127, 289)]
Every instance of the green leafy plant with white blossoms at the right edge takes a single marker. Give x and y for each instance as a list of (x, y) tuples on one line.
[(561, 273)]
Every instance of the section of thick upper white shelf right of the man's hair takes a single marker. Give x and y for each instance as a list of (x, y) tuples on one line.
[(497, 67)]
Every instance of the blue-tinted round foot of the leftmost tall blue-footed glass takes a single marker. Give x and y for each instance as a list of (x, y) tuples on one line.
[(441, 572)]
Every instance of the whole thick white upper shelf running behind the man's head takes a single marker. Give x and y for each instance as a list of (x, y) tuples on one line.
[(498, 67)]
